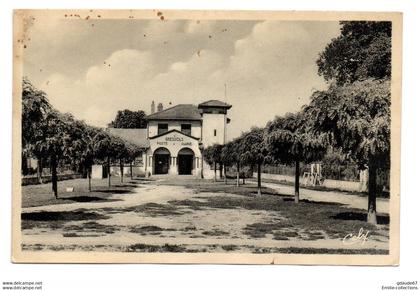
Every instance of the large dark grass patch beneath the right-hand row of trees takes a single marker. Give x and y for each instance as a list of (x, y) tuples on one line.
[(311, 216)]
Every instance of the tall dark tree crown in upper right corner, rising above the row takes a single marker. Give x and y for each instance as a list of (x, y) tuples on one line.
[(362, 51)]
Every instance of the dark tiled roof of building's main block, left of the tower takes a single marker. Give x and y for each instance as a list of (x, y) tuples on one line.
[(178, 112)]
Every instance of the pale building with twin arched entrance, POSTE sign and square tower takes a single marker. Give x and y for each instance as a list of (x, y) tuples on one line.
[(175, 137)]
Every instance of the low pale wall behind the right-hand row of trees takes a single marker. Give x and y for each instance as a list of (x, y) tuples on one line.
[(328, 183)]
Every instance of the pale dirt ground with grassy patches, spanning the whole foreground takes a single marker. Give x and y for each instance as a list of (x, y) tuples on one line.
[(157, 216)]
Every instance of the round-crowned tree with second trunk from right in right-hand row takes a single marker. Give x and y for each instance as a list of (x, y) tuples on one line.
[(290, 141)]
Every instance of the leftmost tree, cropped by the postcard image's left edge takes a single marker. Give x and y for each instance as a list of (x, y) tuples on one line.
[(35, 107)]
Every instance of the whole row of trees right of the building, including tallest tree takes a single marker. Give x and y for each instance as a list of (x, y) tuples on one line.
[(352, 115)]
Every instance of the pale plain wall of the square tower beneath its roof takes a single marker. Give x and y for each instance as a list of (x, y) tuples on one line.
[(213, 122)]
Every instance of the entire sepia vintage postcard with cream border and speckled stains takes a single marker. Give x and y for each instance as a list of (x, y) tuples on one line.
[(162, 136)]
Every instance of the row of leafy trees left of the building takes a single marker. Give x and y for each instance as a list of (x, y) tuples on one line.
[(54, 138)]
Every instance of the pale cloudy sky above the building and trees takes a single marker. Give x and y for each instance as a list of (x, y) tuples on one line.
[(93, 68)]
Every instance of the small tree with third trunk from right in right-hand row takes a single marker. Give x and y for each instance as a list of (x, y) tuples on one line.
[(254, 151)]
